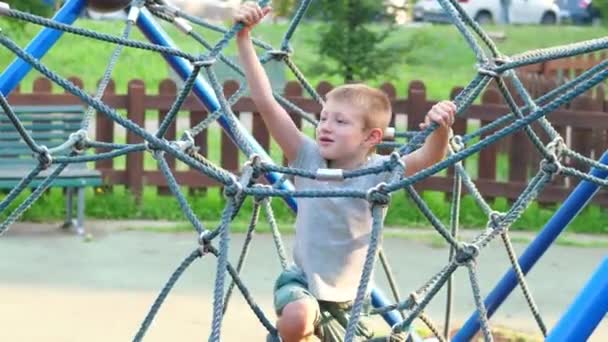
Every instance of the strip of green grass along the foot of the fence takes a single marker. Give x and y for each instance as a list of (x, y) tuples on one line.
[(120, 204)]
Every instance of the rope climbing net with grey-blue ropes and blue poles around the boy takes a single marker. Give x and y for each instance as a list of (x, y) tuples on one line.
[(492, 65)]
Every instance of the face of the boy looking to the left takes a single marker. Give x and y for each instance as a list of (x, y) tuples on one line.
[(342, 136)]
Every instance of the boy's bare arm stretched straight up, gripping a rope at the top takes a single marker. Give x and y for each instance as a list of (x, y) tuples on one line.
[(277, 120)]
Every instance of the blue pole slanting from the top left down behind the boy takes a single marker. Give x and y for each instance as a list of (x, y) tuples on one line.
[(205, 93)]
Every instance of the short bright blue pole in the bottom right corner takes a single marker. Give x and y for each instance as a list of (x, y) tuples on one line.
[(587, 310)]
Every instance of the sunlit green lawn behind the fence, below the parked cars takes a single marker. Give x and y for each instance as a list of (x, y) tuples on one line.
[(438, 55)]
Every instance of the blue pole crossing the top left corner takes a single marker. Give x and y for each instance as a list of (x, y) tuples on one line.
[(39, 46)]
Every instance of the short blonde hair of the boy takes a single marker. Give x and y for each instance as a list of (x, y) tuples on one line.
[(374, 103)]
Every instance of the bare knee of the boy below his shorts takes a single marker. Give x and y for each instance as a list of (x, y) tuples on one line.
[(296, 323)]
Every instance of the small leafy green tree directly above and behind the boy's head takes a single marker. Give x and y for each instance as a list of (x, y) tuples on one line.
[(348, 40)]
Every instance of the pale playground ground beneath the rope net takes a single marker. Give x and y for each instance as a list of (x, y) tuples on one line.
[(55, 287)]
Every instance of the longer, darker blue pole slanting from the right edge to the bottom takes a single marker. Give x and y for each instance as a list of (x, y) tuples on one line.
[(575, 202)]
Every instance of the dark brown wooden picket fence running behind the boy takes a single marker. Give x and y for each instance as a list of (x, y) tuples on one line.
[(500, 170)]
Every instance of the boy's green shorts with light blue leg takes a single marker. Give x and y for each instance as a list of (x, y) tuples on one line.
[(331, 317)]
